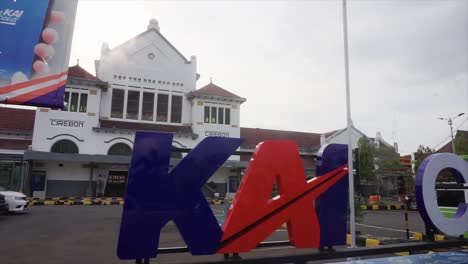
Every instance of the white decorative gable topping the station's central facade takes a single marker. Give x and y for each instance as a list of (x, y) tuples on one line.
[(148, 58)]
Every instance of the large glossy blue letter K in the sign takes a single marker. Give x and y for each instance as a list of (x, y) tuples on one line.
[(154, 196)]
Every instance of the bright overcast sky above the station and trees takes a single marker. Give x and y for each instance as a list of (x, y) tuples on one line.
[(408, 59)]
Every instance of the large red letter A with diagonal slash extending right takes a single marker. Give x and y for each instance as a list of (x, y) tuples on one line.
[(254, 215)]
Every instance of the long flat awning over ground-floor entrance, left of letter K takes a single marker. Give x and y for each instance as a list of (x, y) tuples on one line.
[(95, 158)]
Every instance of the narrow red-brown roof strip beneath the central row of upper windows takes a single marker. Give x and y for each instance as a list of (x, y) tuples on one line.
[(146, 127)]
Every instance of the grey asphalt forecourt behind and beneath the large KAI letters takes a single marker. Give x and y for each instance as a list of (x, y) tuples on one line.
[(88, 234)]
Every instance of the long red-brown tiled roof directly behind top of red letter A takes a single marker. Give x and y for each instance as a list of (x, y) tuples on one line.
[(253, 136)]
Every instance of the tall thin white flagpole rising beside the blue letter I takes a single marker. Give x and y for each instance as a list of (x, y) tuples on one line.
[(348, 128)]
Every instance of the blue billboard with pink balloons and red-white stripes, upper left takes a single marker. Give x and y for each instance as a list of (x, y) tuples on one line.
[(35, 50)]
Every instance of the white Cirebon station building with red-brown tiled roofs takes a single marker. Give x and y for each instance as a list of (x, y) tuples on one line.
[(143, 84)]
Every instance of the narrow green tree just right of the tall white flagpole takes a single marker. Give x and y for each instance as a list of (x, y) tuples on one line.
[(366, 160)]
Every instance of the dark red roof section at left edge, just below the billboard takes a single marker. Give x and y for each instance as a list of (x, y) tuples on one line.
[(17, 119)]
